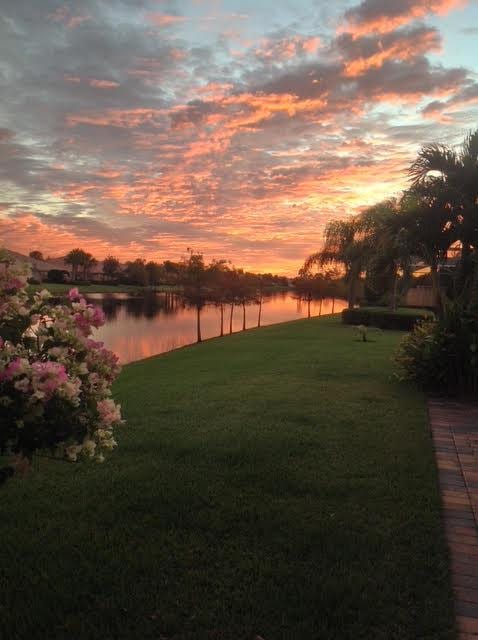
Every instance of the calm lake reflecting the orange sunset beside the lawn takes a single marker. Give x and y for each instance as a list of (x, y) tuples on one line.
[(139, 327)]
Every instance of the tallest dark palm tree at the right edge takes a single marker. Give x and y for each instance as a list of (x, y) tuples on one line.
[(455, 173)]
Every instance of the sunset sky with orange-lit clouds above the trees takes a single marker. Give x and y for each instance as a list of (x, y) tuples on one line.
[(238, 128)]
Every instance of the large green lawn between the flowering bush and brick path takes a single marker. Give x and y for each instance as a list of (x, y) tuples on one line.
[(276, 482)]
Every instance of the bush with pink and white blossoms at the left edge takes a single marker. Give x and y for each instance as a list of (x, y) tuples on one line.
[(55, 381)]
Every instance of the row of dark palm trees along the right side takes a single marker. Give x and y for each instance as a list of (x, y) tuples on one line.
[(436, 217)]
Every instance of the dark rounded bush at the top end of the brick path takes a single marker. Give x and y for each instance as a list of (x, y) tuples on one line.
[(442, 355)]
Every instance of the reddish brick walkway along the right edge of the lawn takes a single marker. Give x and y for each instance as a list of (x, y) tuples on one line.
[(455, 437)]
